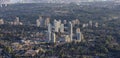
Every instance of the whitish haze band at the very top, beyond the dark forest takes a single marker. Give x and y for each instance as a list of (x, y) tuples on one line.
[(50, 1)]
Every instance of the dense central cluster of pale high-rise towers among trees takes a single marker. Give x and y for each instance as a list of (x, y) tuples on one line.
[(68, 36)]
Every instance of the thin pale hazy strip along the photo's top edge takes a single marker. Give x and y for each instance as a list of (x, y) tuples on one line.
[(46, 1)]
